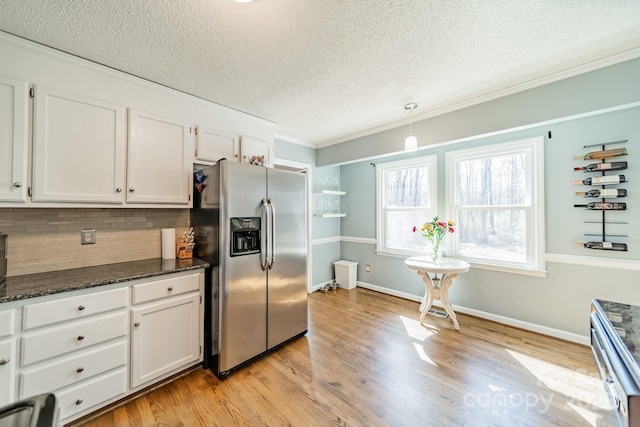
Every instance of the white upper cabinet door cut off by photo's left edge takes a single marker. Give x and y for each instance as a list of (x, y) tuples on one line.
[(13, 139)]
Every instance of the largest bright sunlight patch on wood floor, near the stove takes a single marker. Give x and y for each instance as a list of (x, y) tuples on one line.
[(582, 390)]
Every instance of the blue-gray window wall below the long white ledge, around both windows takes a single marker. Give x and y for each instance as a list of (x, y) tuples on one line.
[(561, 299)]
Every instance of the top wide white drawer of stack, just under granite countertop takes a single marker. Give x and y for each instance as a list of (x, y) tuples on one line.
[(46, 313)]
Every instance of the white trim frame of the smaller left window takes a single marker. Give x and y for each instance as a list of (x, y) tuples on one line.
[(432, 162)]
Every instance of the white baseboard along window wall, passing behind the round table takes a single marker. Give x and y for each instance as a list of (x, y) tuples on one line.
[(533, 327)]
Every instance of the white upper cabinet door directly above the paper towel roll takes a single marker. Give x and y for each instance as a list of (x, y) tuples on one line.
[(159, 168)]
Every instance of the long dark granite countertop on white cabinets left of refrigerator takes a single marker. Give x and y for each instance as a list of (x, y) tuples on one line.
[(36, 285)]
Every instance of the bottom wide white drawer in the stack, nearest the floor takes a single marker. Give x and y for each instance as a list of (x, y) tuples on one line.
[(91, 393)]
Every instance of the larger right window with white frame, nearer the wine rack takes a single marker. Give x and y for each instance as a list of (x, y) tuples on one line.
[(495, 197)]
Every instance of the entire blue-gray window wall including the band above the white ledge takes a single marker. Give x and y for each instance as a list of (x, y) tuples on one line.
[(596, 107)]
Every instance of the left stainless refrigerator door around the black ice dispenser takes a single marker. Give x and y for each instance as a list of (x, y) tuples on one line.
[(243, 288)]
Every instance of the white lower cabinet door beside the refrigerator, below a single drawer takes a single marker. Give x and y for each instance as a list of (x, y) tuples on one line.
[(165, 336)]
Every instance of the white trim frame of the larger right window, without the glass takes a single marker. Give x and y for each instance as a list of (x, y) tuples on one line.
[(535, 232)]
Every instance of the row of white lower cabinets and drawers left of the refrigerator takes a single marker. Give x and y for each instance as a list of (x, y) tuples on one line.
[(93, 348)]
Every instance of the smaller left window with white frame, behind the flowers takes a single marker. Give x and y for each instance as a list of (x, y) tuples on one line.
[(406, 196)]
